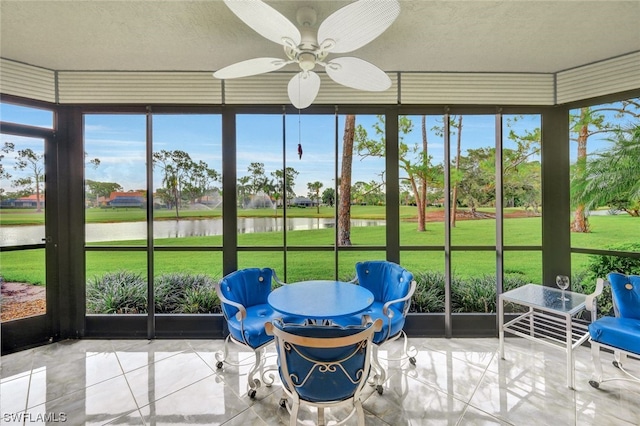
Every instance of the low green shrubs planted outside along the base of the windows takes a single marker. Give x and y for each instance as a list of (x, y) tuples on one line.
[(125, 292)]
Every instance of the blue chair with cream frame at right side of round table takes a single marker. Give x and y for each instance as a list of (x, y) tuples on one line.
[(392, 287)]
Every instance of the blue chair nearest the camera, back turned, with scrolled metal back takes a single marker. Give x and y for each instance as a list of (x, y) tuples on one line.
[(323, 365)]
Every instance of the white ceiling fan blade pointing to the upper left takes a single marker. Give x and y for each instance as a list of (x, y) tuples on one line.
[(265, 20)]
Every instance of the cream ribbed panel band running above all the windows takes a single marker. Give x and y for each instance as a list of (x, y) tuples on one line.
[(603, 78)]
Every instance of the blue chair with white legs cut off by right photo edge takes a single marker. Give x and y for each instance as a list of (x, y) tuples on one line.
[(621, 333)]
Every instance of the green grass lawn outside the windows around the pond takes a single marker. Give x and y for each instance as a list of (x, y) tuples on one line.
[(28, 265)]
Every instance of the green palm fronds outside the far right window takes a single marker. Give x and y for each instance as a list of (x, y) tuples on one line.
[(613, 177)]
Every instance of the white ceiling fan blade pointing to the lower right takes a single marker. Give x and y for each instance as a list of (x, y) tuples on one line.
[(358, 74)]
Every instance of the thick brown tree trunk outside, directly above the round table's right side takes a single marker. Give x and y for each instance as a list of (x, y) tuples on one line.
[(344, 209)]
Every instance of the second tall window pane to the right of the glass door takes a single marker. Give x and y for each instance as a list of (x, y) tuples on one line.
[(187, 212)]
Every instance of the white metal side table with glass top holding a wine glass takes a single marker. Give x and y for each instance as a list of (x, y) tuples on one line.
[(549, 320)]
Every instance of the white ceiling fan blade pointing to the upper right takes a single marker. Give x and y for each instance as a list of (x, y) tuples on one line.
[(358, 23)]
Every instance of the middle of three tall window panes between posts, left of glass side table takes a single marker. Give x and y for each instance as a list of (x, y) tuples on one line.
[(472, 218)]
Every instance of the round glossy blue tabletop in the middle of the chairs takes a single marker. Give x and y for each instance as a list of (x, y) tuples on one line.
[(320, 299)]
